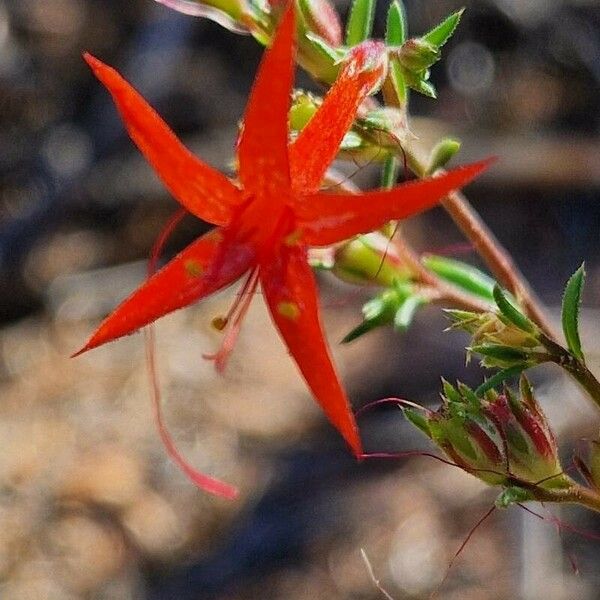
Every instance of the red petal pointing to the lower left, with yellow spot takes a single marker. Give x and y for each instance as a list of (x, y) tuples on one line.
[(205, 266)]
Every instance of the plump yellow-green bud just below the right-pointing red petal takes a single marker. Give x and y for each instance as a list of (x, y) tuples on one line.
[(370, 260)]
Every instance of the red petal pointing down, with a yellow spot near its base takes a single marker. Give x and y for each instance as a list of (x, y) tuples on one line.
[(290, 292)]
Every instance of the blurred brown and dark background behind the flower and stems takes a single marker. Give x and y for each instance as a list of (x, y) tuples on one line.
[(90, 507)]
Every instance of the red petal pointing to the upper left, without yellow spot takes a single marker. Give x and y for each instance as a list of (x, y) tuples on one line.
[(202, 190)]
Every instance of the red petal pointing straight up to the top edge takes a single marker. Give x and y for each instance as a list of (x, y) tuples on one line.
[(262, 149)]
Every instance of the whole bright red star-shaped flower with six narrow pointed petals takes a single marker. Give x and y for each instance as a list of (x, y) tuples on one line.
[(265, 224)]
